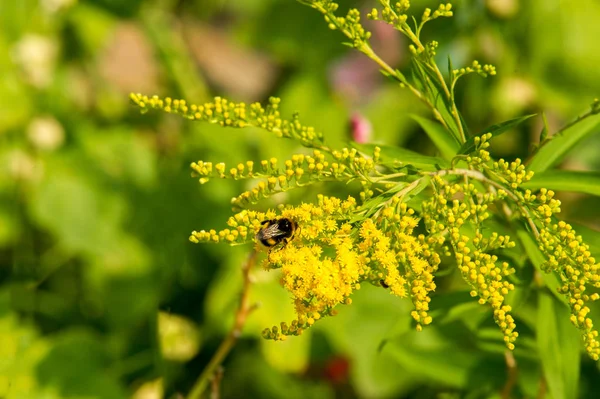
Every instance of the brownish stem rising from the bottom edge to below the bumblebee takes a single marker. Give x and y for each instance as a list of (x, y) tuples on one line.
[(243, 311)]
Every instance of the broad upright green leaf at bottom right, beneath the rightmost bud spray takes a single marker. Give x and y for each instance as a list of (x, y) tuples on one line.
[(559, 346)]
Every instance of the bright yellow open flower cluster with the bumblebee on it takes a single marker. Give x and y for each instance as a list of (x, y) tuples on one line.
[(329, 257)]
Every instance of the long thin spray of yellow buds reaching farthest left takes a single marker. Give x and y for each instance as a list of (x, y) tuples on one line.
[(238, 115)]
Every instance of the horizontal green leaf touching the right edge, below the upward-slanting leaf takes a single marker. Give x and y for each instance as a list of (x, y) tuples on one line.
[(566, 180)]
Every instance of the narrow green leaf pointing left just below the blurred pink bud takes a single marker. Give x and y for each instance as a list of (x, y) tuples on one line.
[(396, 157)]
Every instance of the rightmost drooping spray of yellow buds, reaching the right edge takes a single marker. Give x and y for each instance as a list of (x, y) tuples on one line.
[(570, 257)]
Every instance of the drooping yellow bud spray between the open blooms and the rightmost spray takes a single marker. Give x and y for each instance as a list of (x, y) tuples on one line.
[(445, 215)]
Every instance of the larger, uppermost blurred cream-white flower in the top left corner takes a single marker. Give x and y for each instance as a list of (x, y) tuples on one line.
[(36, 55)]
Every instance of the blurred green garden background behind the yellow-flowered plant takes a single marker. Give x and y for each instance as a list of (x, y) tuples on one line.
[(101, 293)]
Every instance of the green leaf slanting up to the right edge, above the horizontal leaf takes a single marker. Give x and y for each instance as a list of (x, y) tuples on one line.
[(560, 144)]
